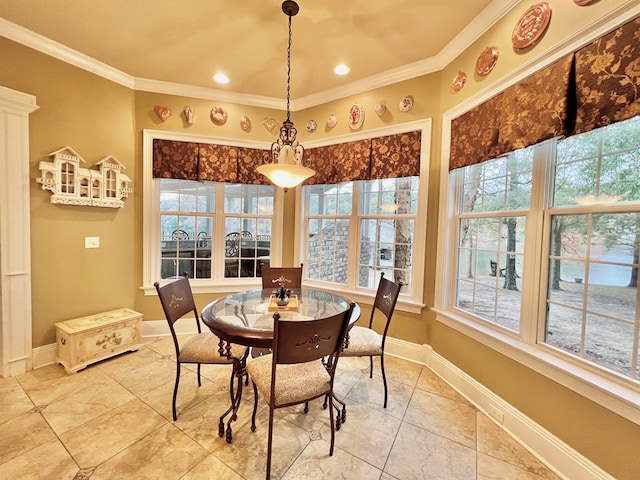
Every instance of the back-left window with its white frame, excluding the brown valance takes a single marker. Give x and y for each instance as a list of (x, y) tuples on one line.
[(220, 234)]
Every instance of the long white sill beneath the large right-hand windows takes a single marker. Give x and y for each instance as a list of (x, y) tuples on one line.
[(618, 396)]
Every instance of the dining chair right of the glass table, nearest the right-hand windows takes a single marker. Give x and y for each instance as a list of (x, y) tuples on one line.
[(366, 342)]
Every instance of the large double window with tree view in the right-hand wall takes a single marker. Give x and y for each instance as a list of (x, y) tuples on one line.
[(546, 251)]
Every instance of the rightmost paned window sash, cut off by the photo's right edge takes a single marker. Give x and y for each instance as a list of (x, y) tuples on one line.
[(592, 307)]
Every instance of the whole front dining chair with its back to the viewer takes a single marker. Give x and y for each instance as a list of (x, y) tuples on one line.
[(295, 373)]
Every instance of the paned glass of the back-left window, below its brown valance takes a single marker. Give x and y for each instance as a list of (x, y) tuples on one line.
[(188, 220)]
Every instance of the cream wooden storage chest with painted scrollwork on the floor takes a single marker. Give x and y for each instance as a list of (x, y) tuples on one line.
[(86, 340)]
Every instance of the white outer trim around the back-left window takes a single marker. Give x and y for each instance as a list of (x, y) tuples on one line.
[(150, 228)]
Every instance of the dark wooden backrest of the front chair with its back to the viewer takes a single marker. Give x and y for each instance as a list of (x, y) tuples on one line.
[(300, 341)]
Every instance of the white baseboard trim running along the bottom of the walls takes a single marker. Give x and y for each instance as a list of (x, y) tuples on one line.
[(560, 457)]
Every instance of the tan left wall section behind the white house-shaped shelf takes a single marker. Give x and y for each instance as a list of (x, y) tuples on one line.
[(95, 118)]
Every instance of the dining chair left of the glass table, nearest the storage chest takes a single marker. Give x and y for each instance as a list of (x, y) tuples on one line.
[(177, 301)]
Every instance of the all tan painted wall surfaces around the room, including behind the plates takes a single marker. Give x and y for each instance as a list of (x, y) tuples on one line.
[(99, 118)]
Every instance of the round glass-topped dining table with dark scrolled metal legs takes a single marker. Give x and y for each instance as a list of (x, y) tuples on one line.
[(246, 318)]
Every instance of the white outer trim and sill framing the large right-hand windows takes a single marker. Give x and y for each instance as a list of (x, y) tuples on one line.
[(618, 396)]
